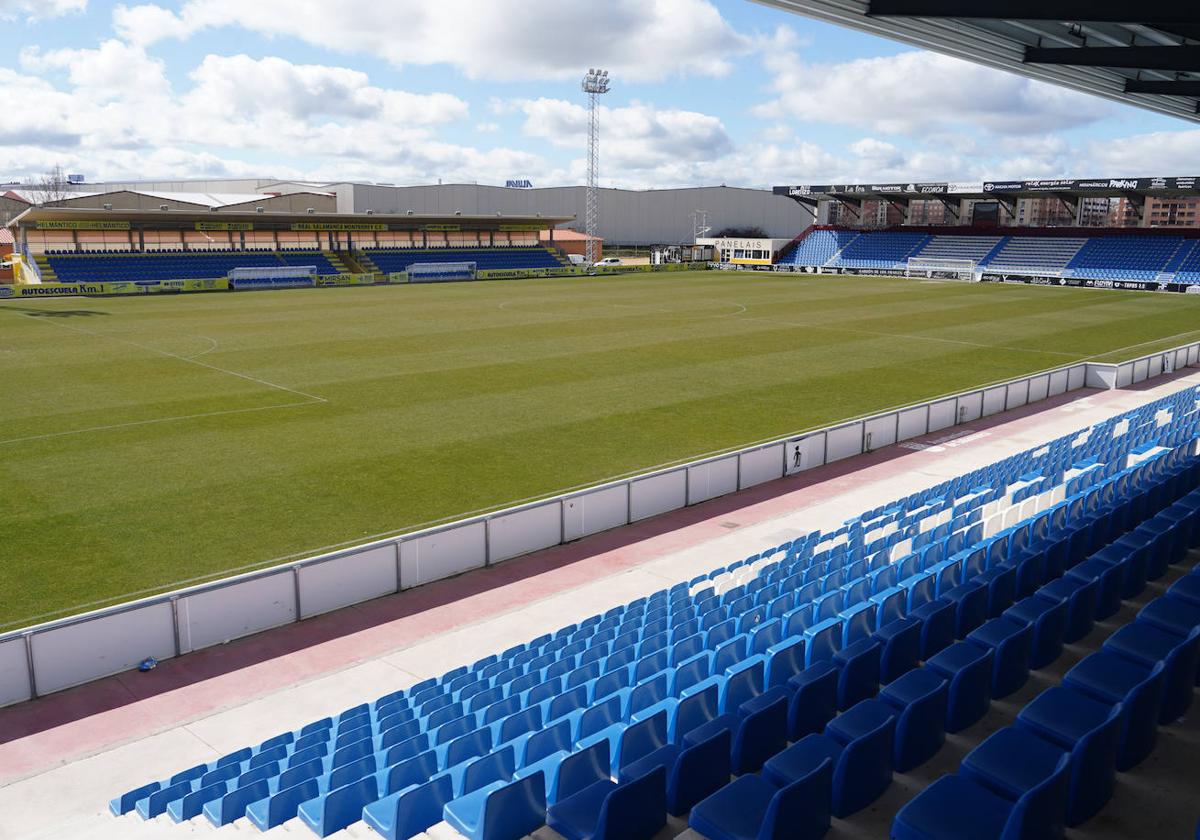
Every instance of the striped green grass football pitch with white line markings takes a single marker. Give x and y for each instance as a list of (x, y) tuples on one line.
[(149, 443)]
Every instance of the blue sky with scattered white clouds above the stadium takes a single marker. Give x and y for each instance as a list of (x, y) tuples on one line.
[(411, 92)]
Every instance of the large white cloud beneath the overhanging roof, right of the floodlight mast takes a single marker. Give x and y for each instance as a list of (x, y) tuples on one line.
[(917, 93)]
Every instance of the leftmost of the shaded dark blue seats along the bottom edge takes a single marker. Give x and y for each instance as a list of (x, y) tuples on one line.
[(632, 811)]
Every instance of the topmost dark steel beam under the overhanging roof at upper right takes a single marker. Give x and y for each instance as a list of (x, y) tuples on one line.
[(1091, 11)]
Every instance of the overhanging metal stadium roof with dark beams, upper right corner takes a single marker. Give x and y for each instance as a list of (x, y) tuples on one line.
[(1147, 55)]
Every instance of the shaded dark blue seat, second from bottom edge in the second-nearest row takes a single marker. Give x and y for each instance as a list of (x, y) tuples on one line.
[(860, 743)]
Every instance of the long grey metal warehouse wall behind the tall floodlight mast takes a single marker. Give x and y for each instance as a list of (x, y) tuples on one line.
[(627, 217)]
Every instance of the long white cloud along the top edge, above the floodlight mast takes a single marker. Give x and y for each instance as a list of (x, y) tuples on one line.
[(637, 40)]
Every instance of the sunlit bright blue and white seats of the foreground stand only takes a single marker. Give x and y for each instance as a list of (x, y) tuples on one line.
[(697, 652)]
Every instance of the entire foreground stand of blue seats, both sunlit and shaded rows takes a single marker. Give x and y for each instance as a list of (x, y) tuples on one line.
[(771, 668)]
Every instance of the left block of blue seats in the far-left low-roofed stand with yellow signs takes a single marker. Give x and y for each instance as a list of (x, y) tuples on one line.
[(176, 266)]
